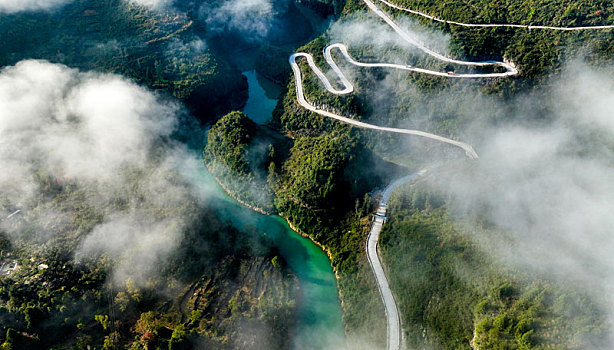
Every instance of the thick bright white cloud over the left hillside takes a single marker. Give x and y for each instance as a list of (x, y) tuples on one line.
[(96, 132)]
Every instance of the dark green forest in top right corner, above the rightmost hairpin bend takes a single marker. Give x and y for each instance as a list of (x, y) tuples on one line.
[(535, 52)]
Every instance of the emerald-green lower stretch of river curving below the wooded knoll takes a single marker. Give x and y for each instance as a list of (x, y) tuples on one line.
[(320, 322)]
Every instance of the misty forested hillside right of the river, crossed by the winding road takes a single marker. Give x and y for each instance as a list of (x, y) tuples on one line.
[(326, 183)]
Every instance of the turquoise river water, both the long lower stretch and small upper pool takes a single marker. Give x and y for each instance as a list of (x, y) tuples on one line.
[(319, 324)]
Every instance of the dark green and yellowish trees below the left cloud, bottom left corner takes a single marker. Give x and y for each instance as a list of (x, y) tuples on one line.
[(51, 302)]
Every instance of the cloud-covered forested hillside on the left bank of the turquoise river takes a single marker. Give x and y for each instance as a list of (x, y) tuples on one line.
[(108, 236)]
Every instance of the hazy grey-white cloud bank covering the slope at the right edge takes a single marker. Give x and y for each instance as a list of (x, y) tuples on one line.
[(550, 184)]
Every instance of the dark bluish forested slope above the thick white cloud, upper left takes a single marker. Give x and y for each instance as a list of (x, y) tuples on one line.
[(159, 49)]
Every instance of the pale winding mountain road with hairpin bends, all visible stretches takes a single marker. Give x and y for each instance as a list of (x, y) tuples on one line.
[(392, 313)]
